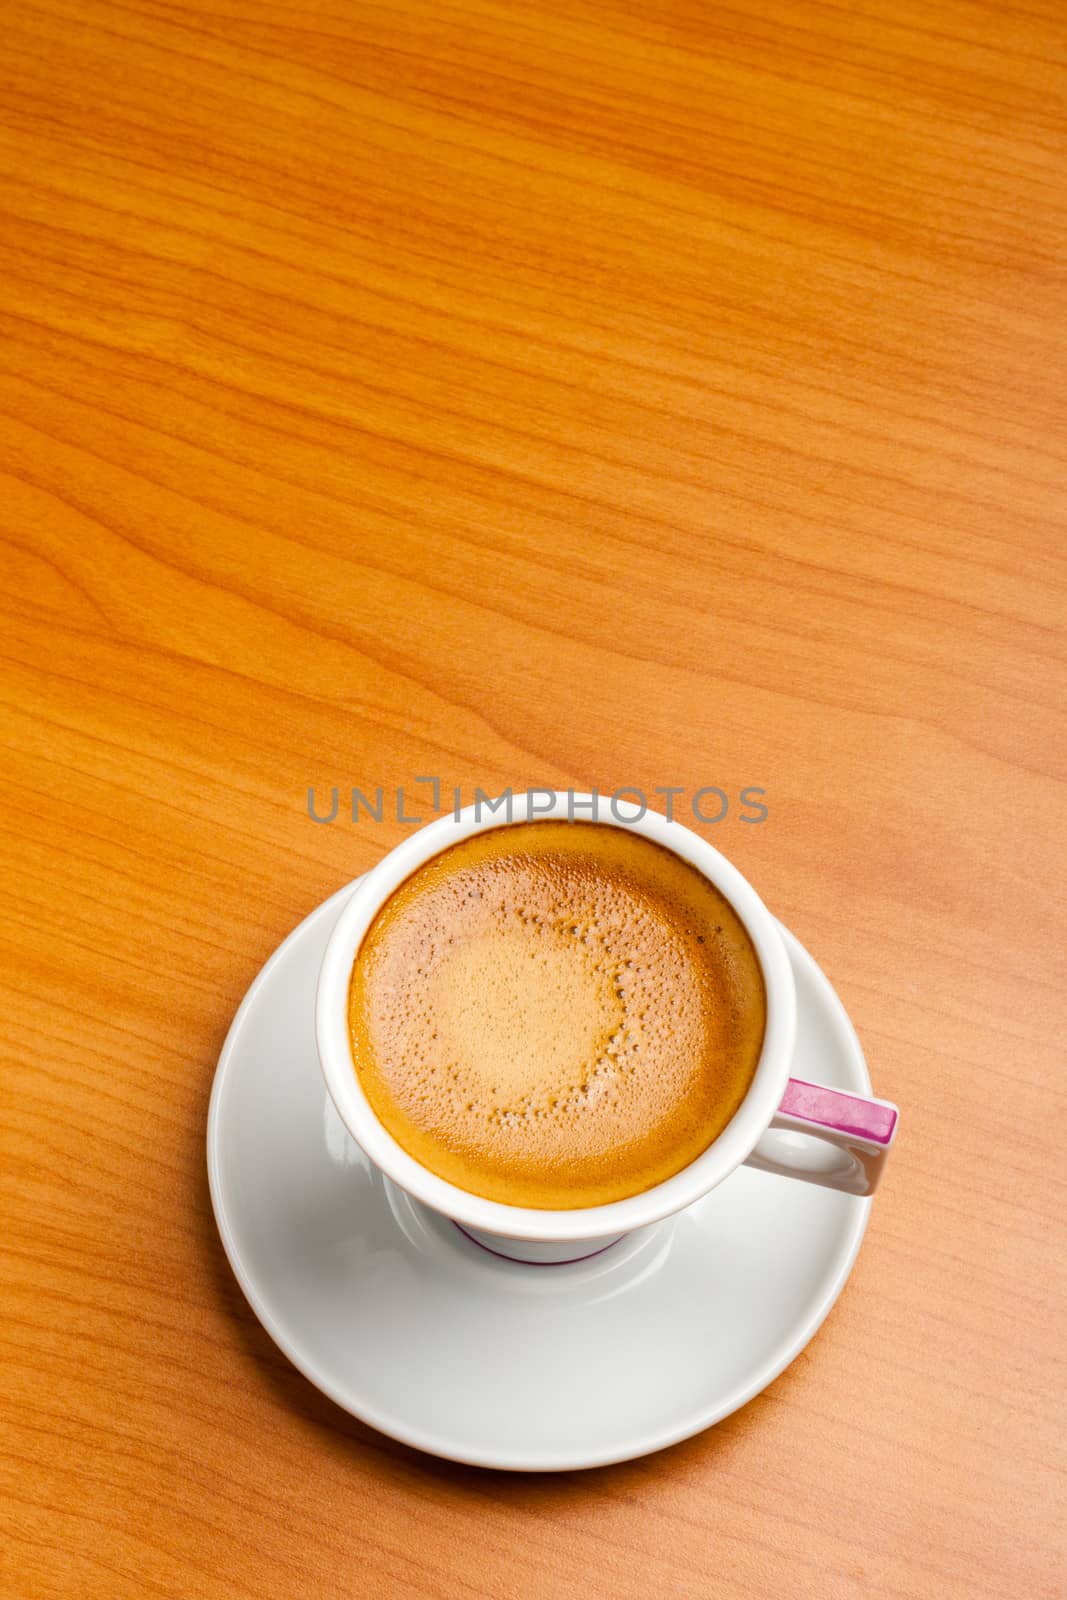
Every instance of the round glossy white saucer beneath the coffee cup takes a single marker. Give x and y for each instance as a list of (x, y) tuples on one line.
[(402, 1321)]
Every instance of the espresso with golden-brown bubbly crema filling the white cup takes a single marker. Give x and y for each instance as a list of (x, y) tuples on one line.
[(556, 1015)]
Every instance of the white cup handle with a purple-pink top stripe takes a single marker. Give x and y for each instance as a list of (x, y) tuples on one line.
[(853, 1134)]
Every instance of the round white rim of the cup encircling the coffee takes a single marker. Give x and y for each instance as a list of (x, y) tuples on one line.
[(553, 1226)]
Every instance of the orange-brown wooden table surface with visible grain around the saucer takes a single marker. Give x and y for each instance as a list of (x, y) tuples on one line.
[(577, 394)]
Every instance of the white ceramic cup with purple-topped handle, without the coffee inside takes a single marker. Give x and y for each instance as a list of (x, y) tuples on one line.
[(845, 1137)]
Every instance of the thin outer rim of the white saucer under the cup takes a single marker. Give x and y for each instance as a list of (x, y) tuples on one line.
[(450, 1449)]
